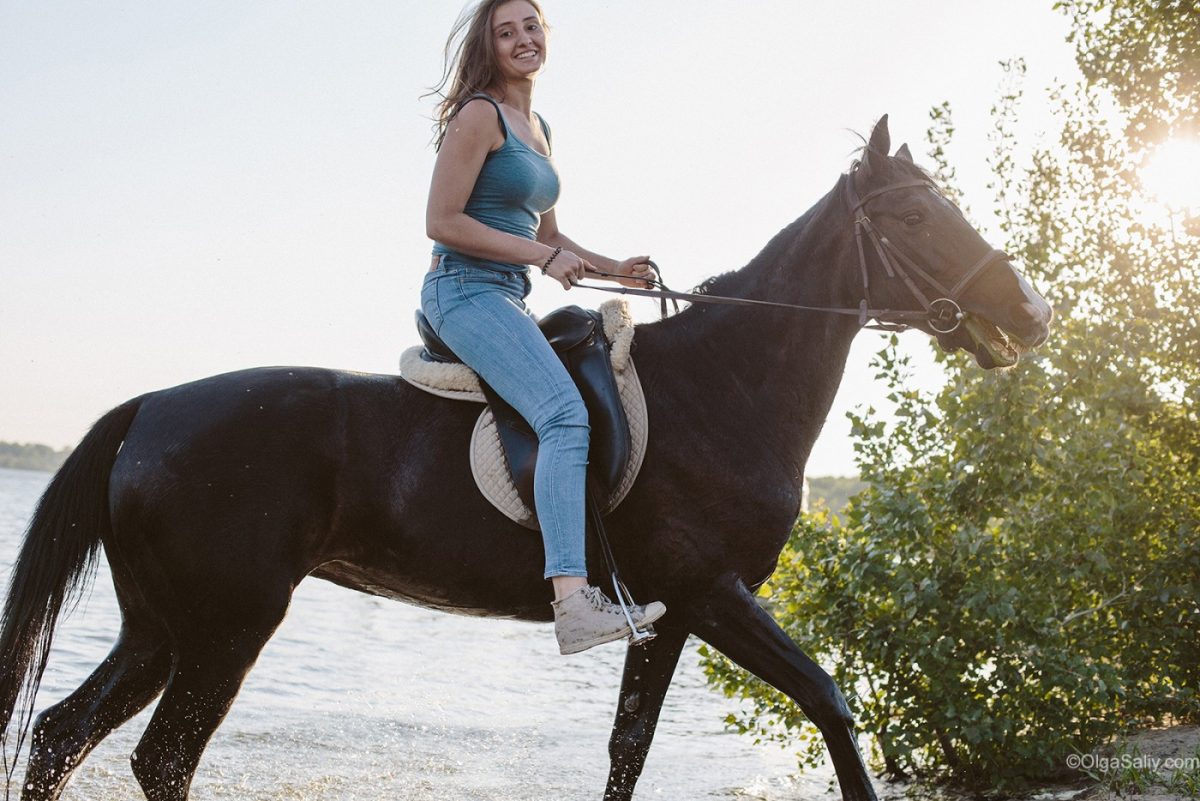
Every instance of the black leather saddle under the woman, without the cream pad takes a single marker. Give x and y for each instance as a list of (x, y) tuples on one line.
[(578, 338)]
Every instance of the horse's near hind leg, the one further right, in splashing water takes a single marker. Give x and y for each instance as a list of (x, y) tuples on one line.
[(214, 652)]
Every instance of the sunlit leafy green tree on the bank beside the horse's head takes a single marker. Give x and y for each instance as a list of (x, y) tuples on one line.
[(1022, 579)]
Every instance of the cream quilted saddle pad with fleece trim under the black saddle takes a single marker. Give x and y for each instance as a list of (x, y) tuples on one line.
[(488, 462)]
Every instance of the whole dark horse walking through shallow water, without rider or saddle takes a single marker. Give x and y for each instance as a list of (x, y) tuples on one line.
[(214, 499)]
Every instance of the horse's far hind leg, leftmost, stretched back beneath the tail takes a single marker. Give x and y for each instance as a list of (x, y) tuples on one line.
[(129, 679)]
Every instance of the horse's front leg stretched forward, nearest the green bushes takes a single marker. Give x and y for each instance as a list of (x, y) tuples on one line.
[(729, 619)]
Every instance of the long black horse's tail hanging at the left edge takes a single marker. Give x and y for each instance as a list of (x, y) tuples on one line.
[(57, 559)]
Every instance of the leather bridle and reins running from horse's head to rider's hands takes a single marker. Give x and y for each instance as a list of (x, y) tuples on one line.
[(944, 314)]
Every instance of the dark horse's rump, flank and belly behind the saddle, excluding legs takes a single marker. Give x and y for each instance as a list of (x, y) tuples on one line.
[(271, 474)]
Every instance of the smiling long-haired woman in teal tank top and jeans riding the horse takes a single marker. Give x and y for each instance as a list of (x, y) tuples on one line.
[(491, 215)]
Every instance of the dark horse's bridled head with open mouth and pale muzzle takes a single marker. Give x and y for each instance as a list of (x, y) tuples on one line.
[(928, 263)]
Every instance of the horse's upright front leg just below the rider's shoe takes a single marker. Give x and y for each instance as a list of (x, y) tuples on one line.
[(649, 671)]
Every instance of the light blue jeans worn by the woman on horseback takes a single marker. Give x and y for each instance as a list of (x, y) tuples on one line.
[(482, 315)]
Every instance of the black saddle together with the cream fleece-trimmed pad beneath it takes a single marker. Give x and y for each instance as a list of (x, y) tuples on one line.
[(596, 350)]
